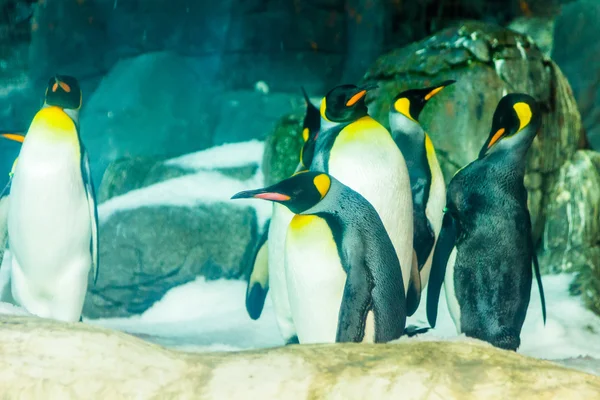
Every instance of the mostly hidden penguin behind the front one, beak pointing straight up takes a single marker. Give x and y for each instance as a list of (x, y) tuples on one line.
[(268, 268)]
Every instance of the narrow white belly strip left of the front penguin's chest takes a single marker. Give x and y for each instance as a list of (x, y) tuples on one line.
[(280, 221)]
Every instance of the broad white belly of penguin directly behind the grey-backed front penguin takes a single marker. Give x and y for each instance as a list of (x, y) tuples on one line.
[(376, 169)]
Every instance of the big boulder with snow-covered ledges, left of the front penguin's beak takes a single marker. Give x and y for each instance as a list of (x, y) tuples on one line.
[(166, 222)]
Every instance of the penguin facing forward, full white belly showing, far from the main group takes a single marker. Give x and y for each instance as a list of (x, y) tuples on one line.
[(52, 218)]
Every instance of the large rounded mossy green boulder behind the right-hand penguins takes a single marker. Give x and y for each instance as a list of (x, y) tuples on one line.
[(487, 61)]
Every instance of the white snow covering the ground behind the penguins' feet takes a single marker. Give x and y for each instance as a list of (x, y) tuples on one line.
[(211, 316)]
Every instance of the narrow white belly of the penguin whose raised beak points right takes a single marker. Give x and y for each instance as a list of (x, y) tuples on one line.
[(435, 213)]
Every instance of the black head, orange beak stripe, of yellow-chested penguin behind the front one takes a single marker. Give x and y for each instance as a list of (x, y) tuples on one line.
[(345, 103)]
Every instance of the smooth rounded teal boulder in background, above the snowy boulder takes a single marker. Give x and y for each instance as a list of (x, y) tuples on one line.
[(147, 106)]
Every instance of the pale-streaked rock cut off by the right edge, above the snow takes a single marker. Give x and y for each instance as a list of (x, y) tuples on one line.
[(572, 227)]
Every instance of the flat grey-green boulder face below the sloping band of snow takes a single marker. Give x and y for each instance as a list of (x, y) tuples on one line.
[(140, 263)]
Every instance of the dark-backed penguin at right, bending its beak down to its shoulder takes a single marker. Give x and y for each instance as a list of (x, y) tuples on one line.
[(485, 250)]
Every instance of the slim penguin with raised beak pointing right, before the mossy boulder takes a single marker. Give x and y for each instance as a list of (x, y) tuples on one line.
[(426, 179)]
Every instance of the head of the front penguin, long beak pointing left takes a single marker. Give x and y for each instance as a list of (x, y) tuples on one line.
[(301, 192)]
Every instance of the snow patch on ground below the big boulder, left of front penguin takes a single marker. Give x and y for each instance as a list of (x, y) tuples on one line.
[(203, 316)]
